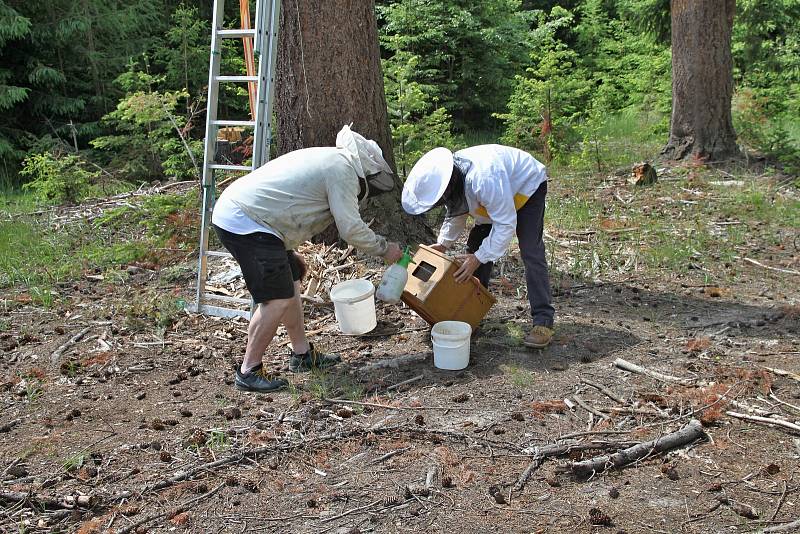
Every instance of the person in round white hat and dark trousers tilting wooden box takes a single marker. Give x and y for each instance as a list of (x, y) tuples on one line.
[(503, 189)]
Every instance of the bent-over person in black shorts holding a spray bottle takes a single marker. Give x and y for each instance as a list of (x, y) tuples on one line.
[(263, 216)]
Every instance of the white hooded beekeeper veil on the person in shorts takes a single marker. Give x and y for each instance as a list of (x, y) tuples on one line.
[(365, 155)]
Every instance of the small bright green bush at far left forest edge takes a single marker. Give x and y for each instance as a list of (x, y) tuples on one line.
[(57, 178)]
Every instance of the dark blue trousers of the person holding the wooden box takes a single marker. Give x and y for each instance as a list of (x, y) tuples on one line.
[(530, 232)]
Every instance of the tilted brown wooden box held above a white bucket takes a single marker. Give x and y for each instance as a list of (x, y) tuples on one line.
[(434, 294)]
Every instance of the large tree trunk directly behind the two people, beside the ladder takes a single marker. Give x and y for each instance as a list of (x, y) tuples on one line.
[(328, 75)]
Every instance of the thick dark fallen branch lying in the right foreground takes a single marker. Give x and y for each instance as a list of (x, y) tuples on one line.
[(688, 434)]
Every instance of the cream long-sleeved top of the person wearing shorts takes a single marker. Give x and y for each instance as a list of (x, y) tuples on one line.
[(297, 195)]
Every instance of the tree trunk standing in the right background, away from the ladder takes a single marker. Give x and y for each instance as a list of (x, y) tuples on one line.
[(702, 80)]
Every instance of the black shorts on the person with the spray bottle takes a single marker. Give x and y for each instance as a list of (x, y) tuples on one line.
[(269, 270)]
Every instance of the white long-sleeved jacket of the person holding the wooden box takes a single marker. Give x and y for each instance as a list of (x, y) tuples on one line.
[(499, 181)]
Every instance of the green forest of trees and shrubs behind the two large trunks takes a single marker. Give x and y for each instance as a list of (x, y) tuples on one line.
[(100, 96)]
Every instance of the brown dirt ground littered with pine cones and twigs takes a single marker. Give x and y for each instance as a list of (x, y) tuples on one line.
[(145, 431)]
